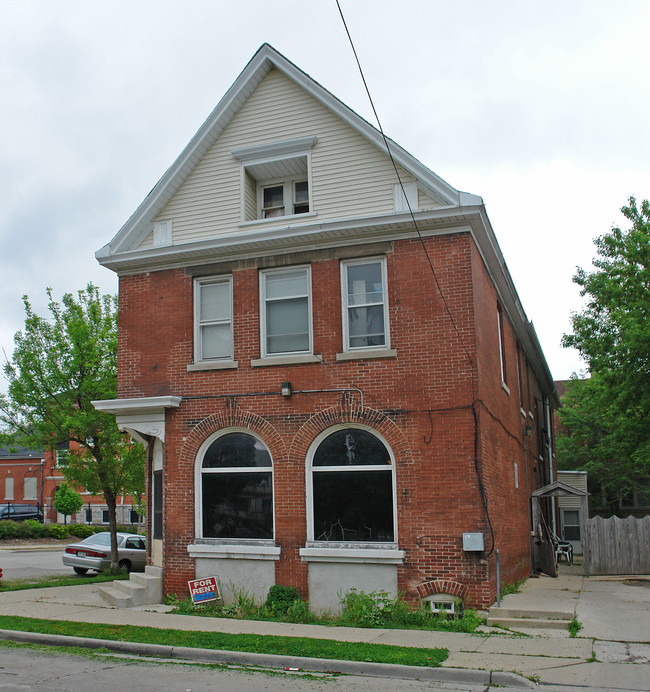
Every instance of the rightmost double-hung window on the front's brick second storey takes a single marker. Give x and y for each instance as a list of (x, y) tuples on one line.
[(365, 304)]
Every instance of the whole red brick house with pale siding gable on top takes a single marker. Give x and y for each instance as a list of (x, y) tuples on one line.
[(333, 390)]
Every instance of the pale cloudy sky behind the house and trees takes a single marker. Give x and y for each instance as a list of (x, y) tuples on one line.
[(542, 108)]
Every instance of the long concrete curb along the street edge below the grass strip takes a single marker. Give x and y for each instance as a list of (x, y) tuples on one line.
[(320, 665)]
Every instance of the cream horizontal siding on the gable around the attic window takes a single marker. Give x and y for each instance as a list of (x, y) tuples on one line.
[(350, 176)]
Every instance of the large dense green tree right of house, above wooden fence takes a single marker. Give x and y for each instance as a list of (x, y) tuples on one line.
[(607, 416)]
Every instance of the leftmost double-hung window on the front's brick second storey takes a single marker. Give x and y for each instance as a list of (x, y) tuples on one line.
[(213, 319)]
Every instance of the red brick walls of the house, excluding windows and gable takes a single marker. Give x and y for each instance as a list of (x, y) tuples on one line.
[(421, 401)]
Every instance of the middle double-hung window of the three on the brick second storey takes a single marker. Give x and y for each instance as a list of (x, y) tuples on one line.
[(285, 297)]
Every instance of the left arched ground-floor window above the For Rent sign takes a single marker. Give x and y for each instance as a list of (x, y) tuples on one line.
[(236, 480)]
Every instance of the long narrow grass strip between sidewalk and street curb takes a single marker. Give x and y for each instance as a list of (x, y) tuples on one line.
[(253, 643)]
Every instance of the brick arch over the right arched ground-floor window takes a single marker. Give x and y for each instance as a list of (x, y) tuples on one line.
[(351, 413)]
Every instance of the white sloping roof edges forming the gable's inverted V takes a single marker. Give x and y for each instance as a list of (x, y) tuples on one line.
[(139, 225)]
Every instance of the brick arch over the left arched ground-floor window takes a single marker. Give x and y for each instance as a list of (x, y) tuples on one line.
[(232, 417)]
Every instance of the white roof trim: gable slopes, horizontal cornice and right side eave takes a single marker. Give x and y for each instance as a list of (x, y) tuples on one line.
[(458, 209)]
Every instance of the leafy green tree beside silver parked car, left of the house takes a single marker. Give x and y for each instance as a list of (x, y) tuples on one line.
[(59, 366)]
